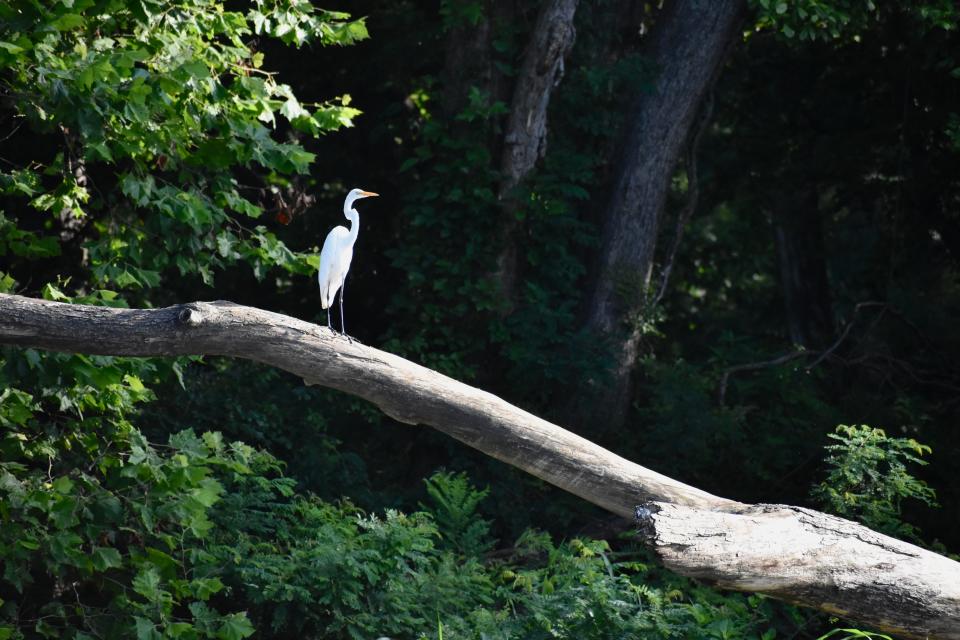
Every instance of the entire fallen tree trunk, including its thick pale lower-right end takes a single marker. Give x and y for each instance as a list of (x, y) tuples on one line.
[(790, 553)]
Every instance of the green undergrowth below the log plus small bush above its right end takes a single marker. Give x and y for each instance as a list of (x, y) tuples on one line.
[(107, 535)]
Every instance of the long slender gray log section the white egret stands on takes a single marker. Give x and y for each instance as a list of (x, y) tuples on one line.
[(403, 390)]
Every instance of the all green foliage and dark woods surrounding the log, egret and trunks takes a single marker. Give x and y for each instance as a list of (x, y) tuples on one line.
[(157, 152)]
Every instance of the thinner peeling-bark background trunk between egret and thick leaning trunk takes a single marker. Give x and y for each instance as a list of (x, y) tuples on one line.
[(525, 140)]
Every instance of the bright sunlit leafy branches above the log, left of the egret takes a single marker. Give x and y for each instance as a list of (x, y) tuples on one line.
[(174, 99)]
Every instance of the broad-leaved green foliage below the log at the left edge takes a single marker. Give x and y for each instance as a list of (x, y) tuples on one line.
[(87, 500)]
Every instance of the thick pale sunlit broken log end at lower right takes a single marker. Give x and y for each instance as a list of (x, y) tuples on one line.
[(813, 559)]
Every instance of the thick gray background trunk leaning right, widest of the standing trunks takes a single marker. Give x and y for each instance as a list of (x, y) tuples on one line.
[(688, 44)]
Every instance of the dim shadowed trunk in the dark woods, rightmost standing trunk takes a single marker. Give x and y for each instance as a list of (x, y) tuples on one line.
[(803, 271)]
